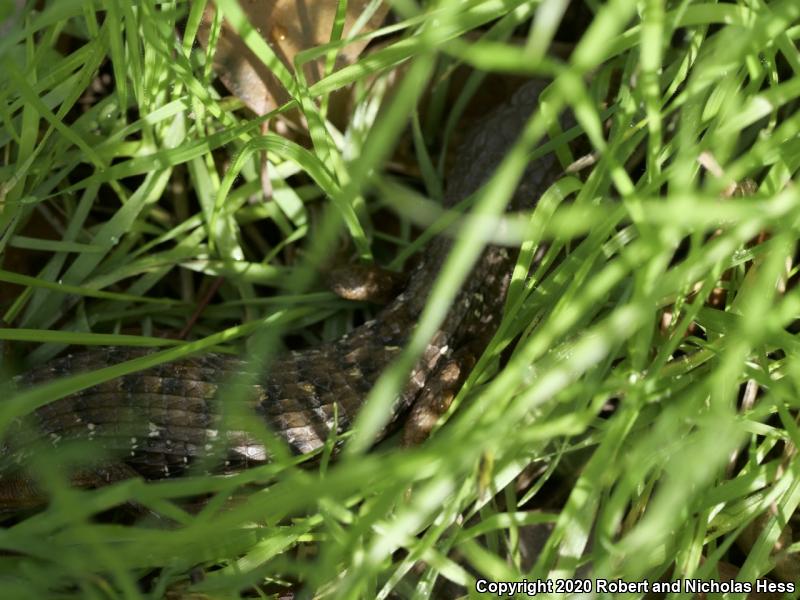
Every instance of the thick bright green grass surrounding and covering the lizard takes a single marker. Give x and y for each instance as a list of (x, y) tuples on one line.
[(636, 408)]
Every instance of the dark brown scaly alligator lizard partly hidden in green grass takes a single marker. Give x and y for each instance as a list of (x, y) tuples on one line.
[(159, 421)]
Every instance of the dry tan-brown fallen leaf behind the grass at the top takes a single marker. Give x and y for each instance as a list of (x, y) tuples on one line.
[(288, 26)]
